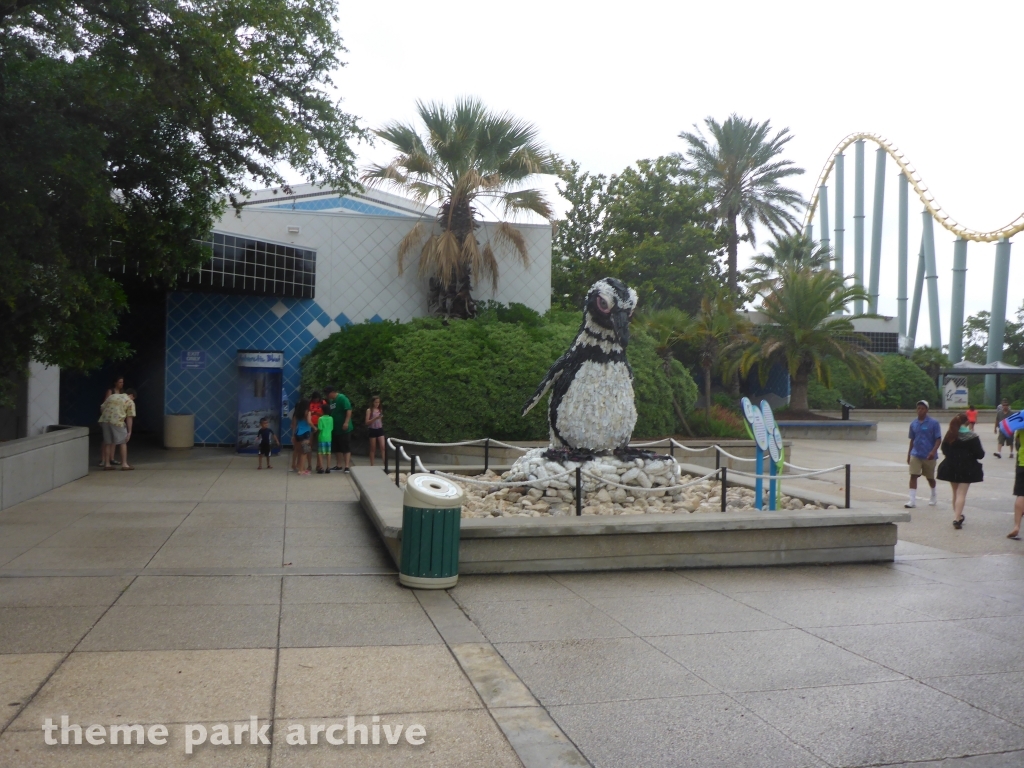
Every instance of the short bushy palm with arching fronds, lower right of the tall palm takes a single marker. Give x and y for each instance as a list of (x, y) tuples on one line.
[(804, 330)]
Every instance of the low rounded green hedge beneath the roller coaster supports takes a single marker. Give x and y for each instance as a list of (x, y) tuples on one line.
[(906, 385)]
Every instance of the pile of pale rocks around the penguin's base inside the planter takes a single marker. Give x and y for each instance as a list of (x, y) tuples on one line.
[(651, 490)]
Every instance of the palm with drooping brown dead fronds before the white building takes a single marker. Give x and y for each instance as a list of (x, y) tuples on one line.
[(466, 156)]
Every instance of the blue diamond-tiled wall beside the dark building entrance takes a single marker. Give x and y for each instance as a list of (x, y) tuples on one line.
[(221, 326)]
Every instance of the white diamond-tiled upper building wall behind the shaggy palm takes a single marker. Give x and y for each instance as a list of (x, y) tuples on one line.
[(358, 267)]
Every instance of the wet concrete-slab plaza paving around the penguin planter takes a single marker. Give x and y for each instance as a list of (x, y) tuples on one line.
[(199, 591)]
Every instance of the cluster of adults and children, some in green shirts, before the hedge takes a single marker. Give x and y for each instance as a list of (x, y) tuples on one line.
[(323, 428)]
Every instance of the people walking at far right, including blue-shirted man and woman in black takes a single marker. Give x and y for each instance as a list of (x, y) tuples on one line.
[(963, 452)]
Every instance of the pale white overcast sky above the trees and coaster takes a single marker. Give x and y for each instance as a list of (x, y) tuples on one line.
[(609, 84)]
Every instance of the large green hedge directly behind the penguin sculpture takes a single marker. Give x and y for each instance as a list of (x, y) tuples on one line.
[(465, 379)]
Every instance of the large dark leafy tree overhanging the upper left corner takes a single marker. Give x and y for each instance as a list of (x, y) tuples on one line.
[(122, 127)]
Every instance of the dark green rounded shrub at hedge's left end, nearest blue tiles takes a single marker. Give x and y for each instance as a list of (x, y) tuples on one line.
[(353, 360)]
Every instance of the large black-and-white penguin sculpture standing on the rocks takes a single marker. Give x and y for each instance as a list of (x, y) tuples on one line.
[(591, 408)]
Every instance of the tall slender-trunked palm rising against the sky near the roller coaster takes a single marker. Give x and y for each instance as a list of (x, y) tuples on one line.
[(742, 166)]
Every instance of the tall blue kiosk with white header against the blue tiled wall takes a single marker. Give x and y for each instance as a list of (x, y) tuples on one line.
[(260, 396)]
